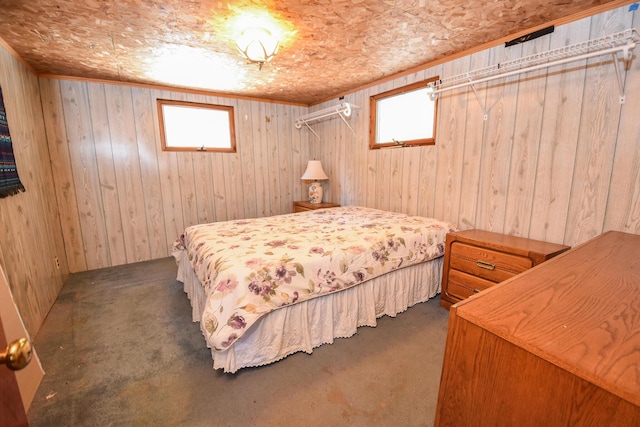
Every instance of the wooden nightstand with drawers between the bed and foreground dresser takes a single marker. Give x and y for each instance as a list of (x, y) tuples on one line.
[(474, 260)]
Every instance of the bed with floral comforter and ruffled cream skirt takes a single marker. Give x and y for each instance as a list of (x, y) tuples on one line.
[(265, 288)]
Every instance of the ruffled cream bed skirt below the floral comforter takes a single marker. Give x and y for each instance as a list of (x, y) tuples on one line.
[(309, 324)]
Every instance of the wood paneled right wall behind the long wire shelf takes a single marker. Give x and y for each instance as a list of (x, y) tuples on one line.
[(558, 158)]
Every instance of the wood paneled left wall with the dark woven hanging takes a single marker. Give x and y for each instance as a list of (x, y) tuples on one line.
[(30, 233)]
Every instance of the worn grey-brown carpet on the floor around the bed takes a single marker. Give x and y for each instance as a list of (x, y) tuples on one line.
[(119, 348)]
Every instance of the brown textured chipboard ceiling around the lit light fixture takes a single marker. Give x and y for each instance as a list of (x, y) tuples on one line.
[(328, 47)]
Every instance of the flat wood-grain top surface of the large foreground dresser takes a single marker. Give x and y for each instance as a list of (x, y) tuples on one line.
[(579, 311)]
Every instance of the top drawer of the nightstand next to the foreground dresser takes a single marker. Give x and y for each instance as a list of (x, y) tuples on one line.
[(486, 263)]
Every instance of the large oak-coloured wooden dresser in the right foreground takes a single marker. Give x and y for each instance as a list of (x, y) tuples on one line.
[(558, 345)]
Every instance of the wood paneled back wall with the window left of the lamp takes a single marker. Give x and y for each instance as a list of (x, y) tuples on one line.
[(123, 200)]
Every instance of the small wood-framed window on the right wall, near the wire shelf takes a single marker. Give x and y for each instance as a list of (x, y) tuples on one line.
[(404, 116)]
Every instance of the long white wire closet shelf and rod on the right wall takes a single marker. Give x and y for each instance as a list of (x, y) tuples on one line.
[(603, 45)]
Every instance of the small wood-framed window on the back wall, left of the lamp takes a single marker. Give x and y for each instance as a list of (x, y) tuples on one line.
[(191, 126)]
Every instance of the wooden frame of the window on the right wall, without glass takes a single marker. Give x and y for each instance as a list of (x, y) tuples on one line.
[(373, 102)]
